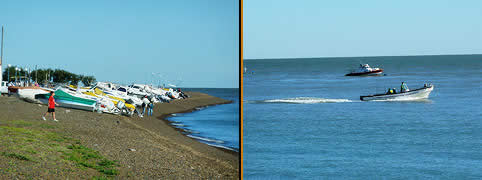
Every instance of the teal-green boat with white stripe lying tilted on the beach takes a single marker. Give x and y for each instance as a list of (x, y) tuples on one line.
[(68, 100)]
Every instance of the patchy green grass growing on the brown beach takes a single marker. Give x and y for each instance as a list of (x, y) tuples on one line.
[(37, 142)]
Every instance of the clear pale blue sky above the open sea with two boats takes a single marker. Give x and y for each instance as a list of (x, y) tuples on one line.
[(346, 28)]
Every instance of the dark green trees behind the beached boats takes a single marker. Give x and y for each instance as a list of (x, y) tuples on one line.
[(45, 76)]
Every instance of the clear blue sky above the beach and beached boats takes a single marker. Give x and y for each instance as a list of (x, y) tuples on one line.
[(191, 43)]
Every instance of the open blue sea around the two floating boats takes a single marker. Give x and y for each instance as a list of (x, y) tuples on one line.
[(303, 119)]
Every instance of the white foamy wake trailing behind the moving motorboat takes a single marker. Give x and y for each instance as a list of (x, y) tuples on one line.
[(302, 100)]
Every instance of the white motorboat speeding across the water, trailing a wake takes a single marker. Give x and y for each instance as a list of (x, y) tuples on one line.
[(420, 93)]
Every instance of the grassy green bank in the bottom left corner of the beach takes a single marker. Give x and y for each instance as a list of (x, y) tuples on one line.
[(32, 148)]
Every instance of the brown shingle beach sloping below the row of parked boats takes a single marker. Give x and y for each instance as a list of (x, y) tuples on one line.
[(144, 148)]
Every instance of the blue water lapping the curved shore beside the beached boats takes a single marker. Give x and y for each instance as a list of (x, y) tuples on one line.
[(214, 125)]
